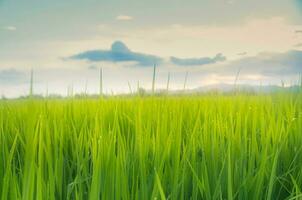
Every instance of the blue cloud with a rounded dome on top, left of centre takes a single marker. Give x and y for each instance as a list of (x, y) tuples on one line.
[(119, 52)]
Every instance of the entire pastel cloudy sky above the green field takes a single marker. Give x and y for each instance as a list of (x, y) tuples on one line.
[(66, 42)]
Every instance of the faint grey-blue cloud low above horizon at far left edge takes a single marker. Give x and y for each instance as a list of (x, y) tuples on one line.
[(11, 76)]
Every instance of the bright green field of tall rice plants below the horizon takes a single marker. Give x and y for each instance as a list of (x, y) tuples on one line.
[(236, 146)]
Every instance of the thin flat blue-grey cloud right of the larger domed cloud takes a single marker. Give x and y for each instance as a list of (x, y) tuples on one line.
[(197, 61)]
